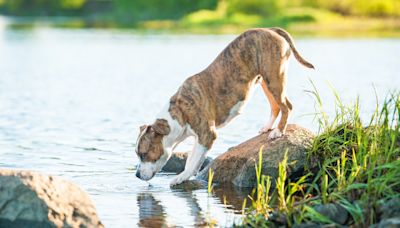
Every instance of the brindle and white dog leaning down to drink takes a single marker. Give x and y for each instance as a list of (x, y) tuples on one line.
[(210, 99)]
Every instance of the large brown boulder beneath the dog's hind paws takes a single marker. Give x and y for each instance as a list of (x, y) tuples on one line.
[(237, 164)]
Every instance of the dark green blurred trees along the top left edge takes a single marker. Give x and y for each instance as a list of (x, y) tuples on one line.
[(124, 10)]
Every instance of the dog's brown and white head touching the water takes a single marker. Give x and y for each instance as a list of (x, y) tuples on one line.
[(150, 149)]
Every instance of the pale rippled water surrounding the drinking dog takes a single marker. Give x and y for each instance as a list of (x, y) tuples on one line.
[(72, 101)]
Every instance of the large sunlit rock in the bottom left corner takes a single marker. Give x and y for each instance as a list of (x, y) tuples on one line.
[(30, 199)]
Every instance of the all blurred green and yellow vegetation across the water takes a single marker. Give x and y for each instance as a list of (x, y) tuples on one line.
[(324, 17)]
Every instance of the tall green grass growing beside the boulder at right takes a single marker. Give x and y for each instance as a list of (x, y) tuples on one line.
[(353, 165)]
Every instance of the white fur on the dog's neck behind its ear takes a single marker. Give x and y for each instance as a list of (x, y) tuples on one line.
[(177, 132)]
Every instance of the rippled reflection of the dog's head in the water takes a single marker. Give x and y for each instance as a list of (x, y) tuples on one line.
[(151, 212)]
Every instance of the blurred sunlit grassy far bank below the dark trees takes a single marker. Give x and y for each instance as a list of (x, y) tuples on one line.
[(302, 21)]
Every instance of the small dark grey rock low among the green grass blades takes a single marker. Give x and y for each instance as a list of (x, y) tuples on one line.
[(334, 212)]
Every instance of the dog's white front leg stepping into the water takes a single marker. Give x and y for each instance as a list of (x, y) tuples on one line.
[(193, 163)]
